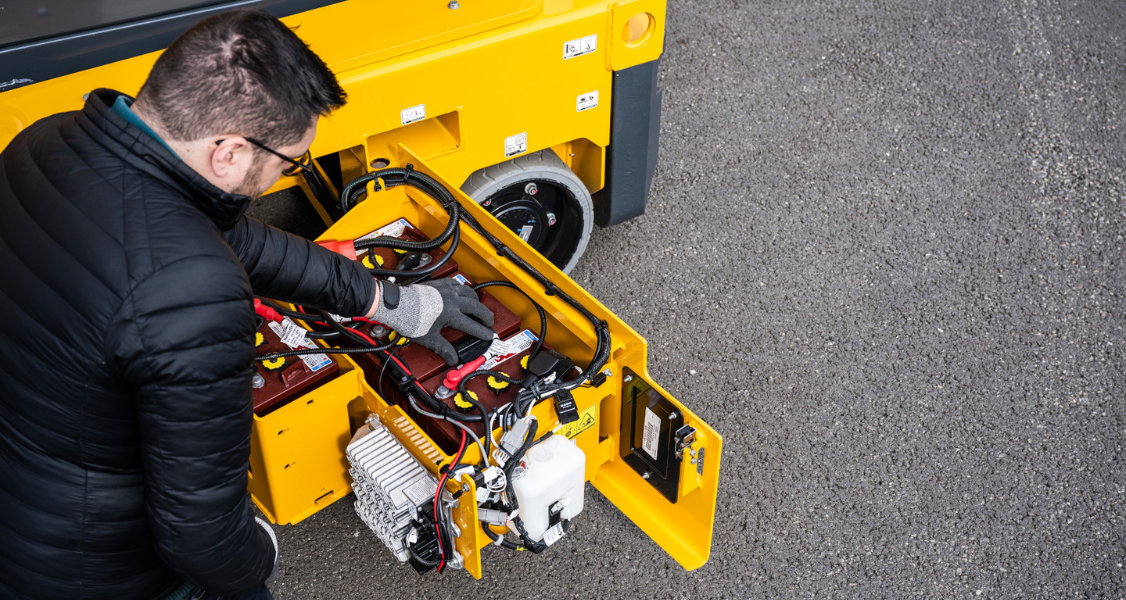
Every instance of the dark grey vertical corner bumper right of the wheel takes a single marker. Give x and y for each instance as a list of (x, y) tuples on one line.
[(631, 159)]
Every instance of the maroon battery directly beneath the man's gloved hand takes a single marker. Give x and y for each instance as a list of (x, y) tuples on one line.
[(423, 363)]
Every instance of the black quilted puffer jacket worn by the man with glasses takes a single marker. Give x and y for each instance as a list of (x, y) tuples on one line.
[(127, 343)]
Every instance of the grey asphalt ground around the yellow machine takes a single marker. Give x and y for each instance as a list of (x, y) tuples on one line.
[(884, 258)]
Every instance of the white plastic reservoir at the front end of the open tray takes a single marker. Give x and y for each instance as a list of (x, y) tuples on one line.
[(556, 473)]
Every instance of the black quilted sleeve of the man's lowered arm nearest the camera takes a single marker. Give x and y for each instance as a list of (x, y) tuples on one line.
[(184, 342)]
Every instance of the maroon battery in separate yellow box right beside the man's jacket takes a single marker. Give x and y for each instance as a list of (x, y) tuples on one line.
[(280, 381)]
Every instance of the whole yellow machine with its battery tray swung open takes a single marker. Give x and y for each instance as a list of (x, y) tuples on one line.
[(538, 119)]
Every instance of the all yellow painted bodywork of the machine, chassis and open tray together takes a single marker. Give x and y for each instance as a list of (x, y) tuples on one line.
[(482, 74)]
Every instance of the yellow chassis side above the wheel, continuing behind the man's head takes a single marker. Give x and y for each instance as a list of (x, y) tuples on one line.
[(484, 74)]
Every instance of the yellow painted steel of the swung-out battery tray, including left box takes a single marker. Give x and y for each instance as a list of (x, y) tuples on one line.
[(684, 529)]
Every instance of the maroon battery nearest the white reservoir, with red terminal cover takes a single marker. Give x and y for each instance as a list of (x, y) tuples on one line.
[(505, 356)]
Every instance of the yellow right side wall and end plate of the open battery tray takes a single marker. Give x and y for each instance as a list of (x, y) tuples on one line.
[(684, 529)]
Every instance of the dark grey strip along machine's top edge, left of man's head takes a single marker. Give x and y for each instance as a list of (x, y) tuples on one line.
[(30, 62)]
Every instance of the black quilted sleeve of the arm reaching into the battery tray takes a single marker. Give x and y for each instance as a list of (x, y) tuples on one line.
[(291, 268)]
